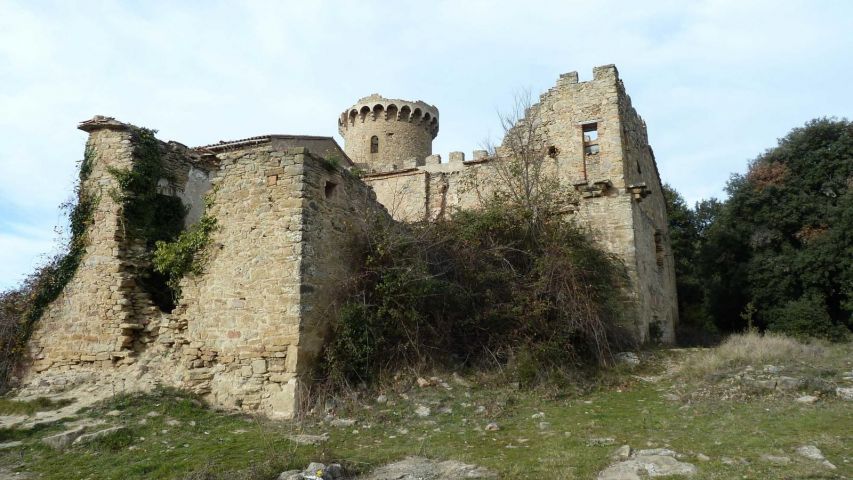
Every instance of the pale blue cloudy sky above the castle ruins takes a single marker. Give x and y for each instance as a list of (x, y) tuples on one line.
[(718, 82)]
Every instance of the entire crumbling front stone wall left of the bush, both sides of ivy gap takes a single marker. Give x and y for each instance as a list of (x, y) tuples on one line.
[(251, 325)]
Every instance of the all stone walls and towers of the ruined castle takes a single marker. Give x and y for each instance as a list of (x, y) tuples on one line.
[(288, 210)]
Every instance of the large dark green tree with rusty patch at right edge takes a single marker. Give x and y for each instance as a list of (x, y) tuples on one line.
[(784, 239)]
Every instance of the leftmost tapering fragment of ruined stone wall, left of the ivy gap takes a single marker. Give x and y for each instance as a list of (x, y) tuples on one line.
[(86, 324)]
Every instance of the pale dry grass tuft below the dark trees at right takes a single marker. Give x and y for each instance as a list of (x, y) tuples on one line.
[(754, 349)]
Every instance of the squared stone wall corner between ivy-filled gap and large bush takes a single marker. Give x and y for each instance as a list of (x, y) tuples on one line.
[(248, 329)]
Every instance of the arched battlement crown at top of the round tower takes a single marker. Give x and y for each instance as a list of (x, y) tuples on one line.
[(376, 107)]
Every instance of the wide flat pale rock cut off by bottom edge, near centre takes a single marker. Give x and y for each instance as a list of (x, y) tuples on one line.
[(418, 468)]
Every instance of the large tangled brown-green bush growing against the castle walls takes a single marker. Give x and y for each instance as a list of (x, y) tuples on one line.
[(477, 288)]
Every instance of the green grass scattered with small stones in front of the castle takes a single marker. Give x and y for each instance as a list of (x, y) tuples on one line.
[(174, 436)]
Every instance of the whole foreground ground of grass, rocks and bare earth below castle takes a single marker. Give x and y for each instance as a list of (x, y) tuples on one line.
[(659, 413)]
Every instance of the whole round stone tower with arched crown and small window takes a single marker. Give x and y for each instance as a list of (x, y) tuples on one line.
[(382, 134)]
